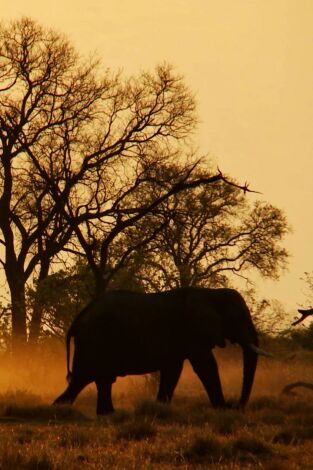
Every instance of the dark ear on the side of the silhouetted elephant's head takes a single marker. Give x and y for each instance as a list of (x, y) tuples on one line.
[(205, 328)]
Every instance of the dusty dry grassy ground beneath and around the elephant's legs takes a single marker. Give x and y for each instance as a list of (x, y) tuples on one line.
[(274, 433)]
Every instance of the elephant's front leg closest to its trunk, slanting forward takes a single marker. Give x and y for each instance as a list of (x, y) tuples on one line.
[(205, 366)]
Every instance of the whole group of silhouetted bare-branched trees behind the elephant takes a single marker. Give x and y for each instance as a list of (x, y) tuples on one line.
[(100, 187)]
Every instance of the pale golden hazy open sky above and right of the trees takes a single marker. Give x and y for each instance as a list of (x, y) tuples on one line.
[(250, 64)]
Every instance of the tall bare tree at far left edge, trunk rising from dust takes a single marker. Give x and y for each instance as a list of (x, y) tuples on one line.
[(44, 89)]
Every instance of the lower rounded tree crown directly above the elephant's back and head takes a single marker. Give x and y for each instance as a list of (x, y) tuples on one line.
[(208, 234)]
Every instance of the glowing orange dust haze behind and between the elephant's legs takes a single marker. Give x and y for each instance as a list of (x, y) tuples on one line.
[(40, 376)]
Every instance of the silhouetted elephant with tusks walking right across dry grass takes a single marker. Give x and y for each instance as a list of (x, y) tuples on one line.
[(124, 333)]
